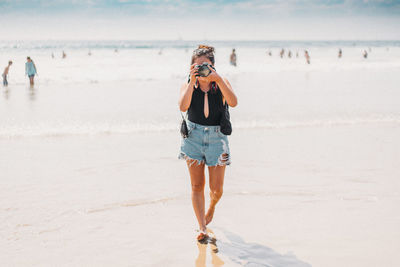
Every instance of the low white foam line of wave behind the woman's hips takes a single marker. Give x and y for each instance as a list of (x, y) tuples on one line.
[(86, 129)]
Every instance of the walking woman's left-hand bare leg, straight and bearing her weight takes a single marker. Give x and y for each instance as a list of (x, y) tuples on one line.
[(197, 179)]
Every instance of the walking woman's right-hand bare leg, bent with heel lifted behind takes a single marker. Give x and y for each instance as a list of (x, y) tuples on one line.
[(217, 174)]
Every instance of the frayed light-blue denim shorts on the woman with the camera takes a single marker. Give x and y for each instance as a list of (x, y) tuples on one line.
[(205, 144)]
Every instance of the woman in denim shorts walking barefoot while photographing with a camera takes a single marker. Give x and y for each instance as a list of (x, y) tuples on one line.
[(204, 98)]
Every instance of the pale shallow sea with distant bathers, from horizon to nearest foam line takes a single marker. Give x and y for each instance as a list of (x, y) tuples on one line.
[(133, 86)]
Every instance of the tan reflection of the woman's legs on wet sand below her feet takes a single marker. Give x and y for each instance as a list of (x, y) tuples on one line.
[(202, 246)]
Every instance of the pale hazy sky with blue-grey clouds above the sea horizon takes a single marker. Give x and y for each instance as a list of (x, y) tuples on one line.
[(199, 20)]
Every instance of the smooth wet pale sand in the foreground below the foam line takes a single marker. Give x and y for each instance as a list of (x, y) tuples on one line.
[(296, 200)]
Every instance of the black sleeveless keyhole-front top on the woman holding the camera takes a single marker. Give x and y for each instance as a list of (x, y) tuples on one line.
[(215, 107)]
